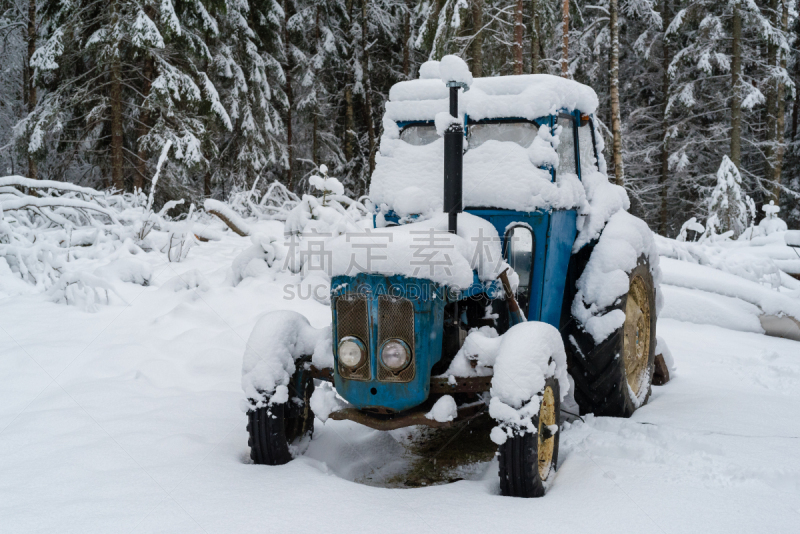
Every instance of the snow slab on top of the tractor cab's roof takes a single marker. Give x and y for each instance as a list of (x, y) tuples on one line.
[(527, 96)]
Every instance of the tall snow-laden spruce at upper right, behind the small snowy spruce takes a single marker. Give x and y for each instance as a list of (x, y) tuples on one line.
[(723, 92)]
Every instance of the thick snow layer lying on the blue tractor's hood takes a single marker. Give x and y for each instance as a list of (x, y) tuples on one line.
[(423, 250)]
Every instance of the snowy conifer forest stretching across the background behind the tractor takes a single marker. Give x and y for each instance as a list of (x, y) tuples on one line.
[(245, 92)]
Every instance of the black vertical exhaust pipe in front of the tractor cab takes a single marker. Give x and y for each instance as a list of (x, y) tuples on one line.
[(453, 162)]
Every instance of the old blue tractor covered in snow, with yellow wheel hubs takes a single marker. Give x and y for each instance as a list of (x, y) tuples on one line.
[(501, 273)]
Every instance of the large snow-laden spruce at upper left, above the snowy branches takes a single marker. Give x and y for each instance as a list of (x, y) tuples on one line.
[(118, 79)]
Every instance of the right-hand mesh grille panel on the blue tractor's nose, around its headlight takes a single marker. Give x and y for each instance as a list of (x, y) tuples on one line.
[(396, 320)]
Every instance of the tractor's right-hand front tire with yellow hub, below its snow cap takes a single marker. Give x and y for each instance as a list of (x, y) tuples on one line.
[(527, 461)]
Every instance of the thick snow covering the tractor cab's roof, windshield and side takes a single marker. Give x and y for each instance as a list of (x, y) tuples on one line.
[(498, 174)]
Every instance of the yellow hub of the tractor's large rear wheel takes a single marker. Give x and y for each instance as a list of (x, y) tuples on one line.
[(636, 342)]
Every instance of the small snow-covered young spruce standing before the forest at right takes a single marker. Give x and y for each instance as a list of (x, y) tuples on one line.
[(727, 209)]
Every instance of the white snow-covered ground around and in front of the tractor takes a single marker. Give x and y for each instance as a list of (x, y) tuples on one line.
[(128, 420)]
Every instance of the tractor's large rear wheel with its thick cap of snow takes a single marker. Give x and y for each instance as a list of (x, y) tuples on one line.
[(610, 336)]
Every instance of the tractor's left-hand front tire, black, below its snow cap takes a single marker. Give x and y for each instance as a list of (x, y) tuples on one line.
[(274, 430)]
